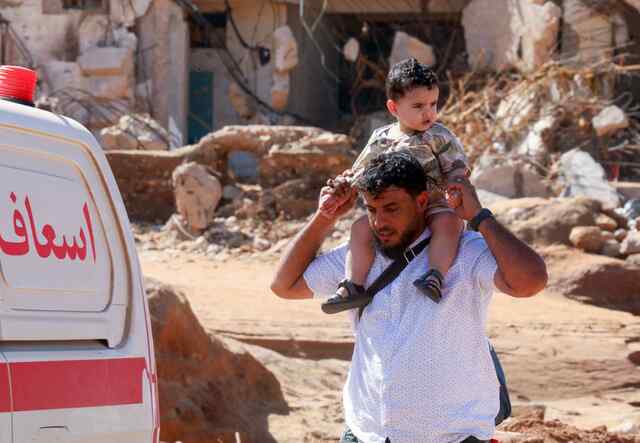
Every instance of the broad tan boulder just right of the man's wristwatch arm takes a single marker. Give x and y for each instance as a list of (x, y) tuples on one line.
[(545, 221)]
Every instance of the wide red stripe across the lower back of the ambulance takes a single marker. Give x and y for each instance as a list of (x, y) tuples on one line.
[(75, 383)]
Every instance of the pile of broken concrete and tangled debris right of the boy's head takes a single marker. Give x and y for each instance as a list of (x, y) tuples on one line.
[(527, 122)]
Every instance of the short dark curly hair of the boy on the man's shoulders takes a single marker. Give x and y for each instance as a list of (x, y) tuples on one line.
[(409, 74)]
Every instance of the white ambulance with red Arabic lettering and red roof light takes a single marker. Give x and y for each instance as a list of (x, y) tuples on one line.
[(76, 352)]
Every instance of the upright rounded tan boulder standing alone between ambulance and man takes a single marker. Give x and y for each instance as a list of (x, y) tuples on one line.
[(197, 195)]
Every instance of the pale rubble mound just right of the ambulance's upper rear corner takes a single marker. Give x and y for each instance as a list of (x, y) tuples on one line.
[(135, 131)]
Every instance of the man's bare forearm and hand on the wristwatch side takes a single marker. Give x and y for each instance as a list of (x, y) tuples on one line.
[(521, 271)]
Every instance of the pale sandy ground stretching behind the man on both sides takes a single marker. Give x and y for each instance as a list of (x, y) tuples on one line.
[(560, 353)]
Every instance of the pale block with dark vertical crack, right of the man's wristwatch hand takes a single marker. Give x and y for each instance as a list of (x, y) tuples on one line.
[(509, 178)]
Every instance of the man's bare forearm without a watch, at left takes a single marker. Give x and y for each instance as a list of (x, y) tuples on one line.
[(298, 254)]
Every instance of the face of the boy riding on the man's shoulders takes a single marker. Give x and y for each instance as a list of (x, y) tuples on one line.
[(417, 110)]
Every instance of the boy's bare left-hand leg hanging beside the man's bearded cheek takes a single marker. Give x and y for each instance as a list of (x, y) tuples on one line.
[(360, 254)]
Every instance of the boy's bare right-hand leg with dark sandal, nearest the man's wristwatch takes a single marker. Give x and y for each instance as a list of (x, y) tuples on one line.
[(445, 237)]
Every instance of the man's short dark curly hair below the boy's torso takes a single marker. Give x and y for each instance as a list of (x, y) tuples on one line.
[(398, 169)]
